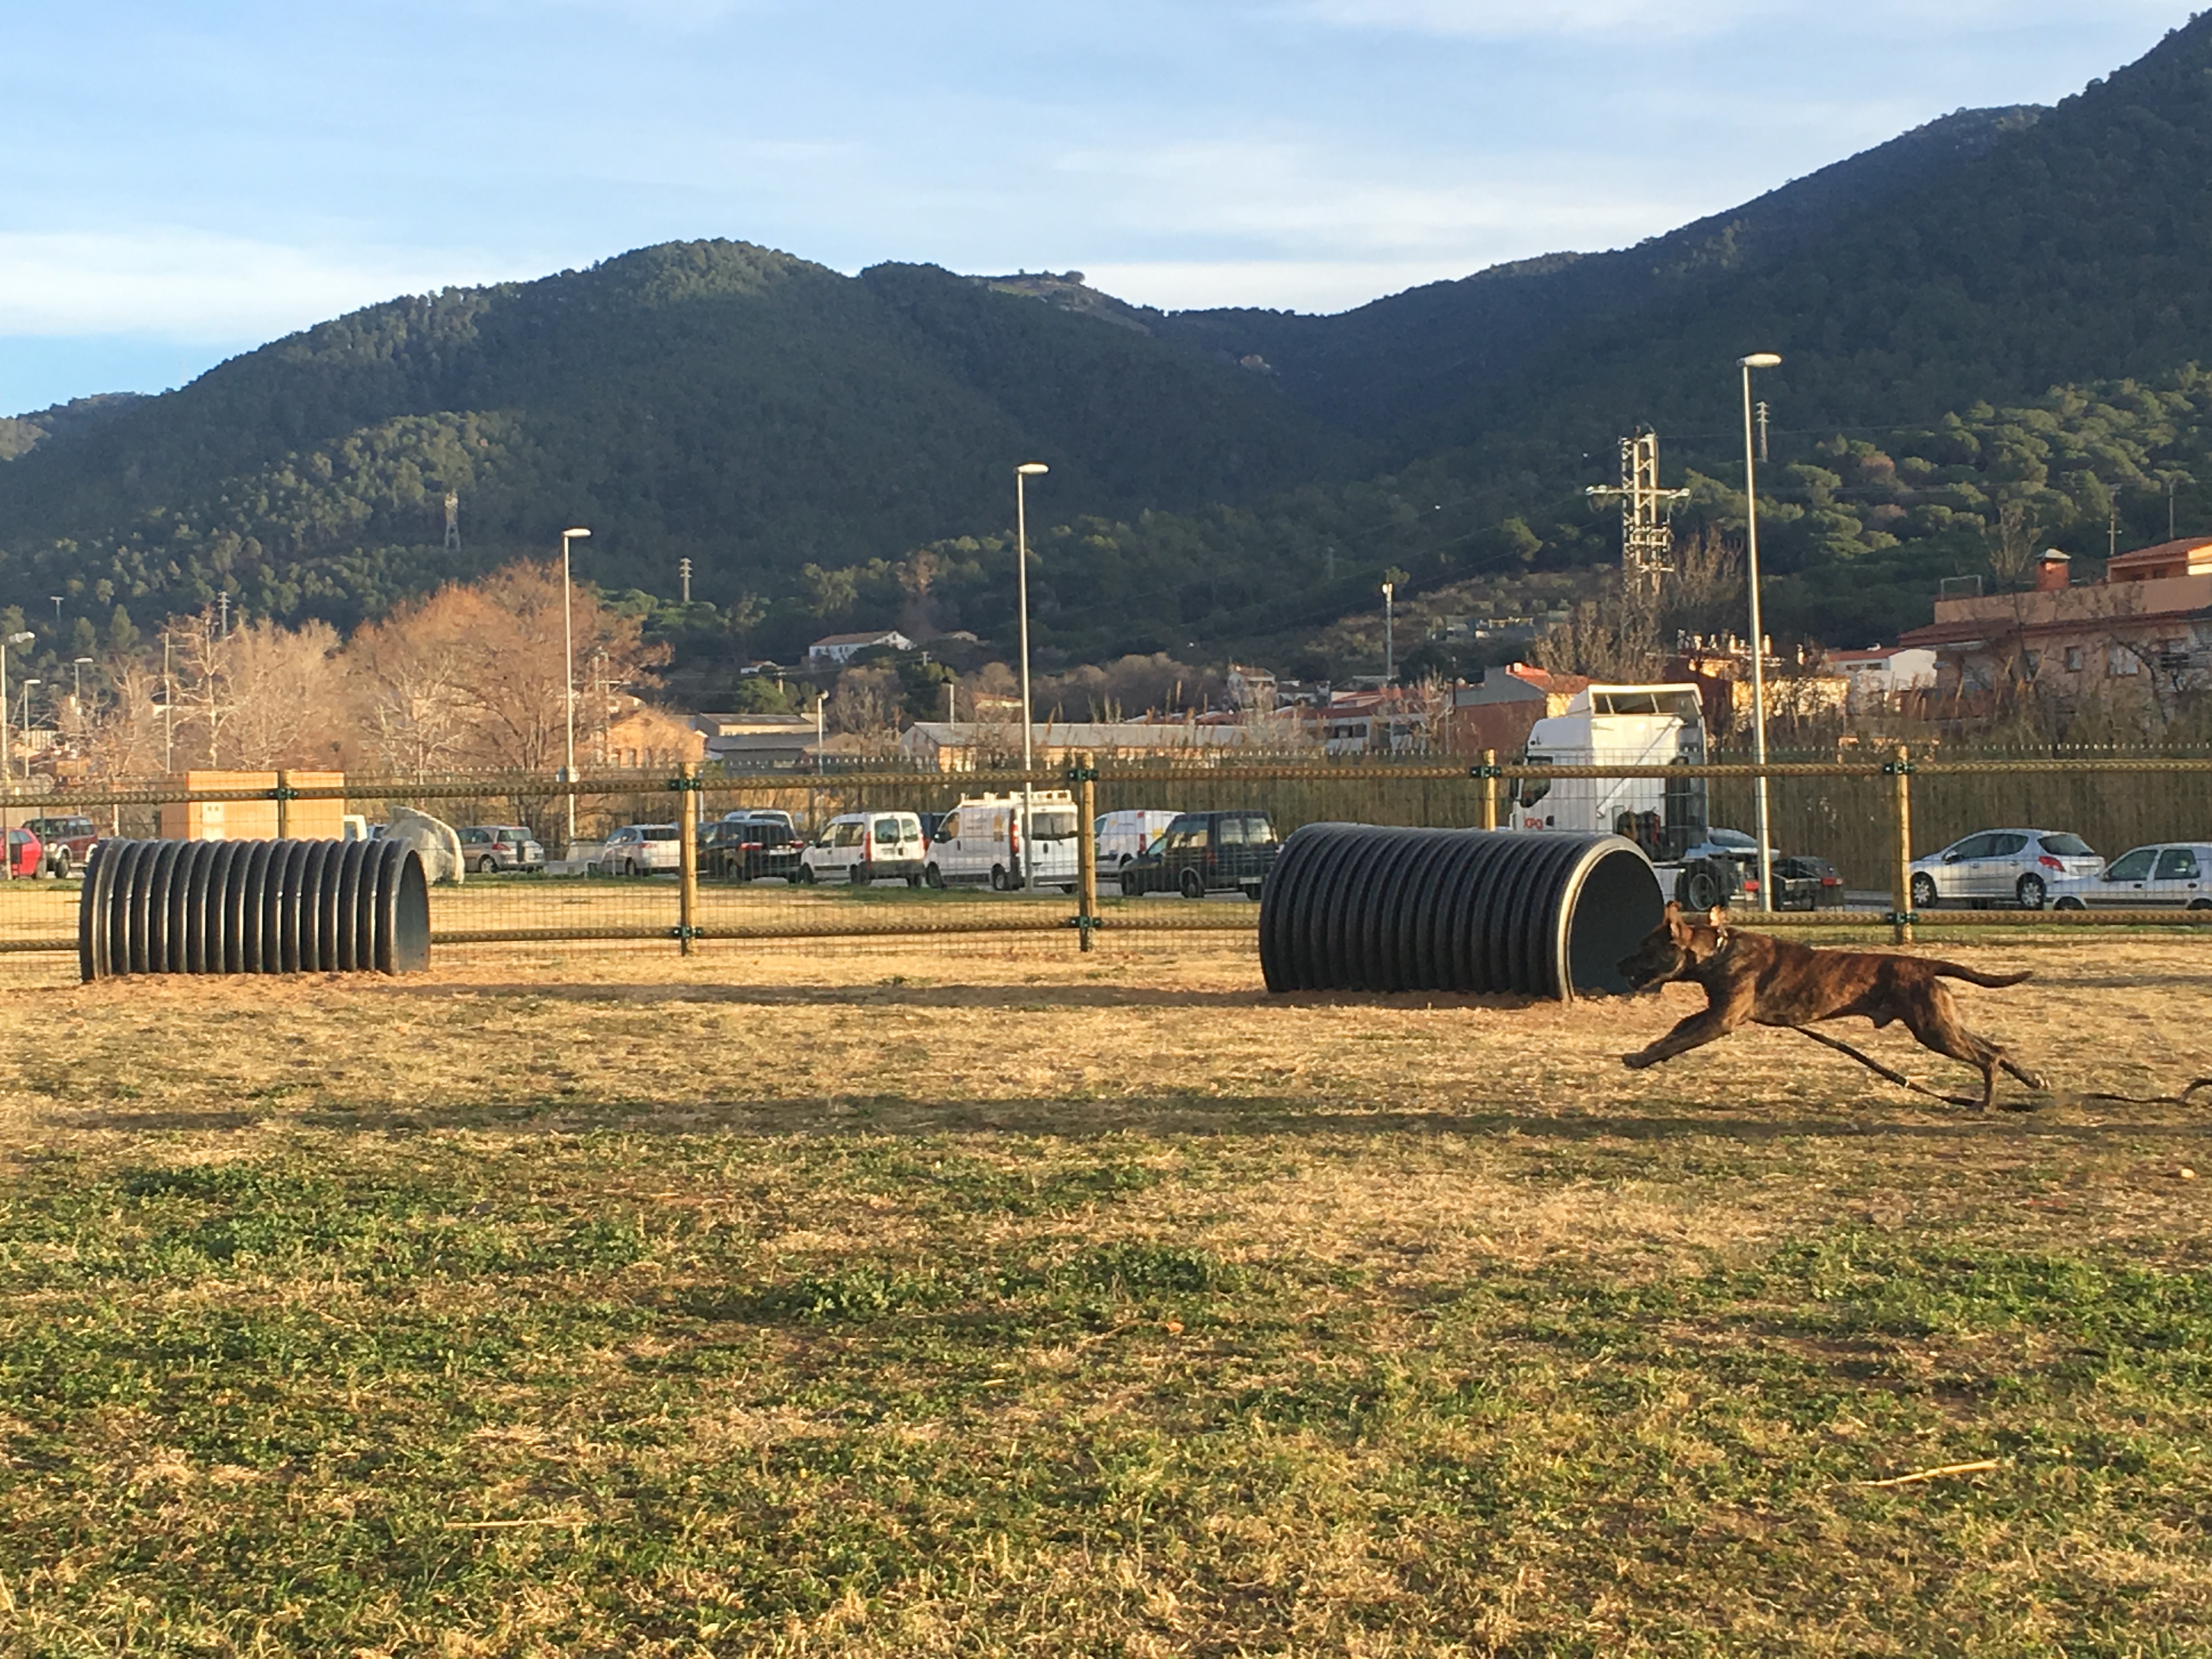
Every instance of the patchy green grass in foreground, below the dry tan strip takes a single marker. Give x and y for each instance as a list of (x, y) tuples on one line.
[(997, 1395)]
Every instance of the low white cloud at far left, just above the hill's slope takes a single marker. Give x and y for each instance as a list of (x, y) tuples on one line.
[(200, 286)]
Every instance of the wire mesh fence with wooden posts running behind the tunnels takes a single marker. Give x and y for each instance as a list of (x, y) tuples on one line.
[(846, 859)]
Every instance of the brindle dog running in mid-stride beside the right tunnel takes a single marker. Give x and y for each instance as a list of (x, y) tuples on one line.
[(1755, 979)]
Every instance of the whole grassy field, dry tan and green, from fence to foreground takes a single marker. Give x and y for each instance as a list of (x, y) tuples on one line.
[(981, 1300)]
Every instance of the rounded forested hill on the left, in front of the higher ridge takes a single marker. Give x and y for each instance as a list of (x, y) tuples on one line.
[(718, 401)]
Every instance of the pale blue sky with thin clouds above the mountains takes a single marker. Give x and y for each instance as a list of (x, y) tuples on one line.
[(189, 182)]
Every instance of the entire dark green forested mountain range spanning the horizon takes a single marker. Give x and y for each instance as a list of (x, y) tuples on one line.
[(1990, 333)]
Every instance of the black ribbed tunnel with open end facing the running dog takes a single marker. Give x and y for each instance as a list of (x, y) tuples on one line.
[(1361, 908)]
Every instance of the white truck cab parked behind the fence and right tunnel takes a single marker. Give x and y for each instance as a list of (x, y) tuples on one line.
[(1620, 727)]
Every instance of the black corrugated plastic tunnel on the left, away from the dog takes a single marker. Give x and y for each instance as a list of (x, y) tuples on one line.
[(253, 908)]
